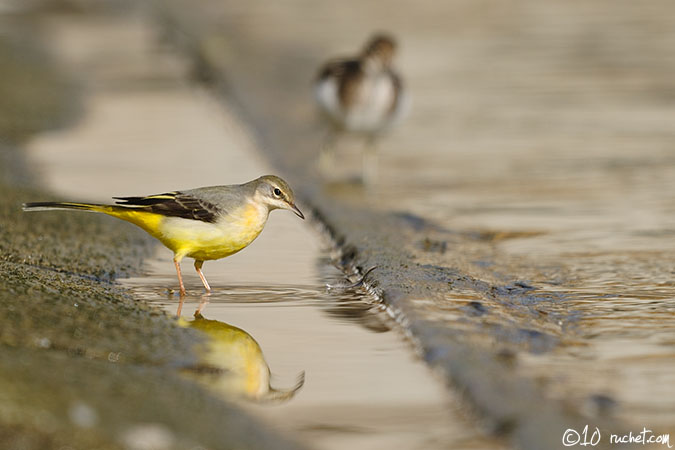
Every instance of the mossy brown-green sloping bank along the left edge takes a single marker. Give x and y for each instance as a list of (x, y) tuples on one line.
[(85, 365)]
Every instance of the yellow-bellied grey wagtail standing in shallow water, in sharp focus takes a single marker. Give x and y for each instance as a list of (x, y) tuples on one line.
[(204, 223)]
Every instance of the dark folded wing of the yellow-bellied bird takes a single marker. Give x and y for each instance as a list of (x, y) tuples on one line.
[(173, 204)]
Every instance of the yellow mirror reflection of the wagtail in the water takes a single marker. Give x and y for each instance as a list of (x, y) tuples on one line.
[(233, 363)]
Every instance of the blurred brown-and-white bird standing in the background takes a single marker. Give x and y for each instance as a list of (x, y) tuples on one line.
[(362, 95)]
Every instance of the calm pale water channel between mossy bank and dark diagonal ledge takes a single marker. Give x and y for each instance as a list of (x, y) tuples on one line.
[(147, 130)]
